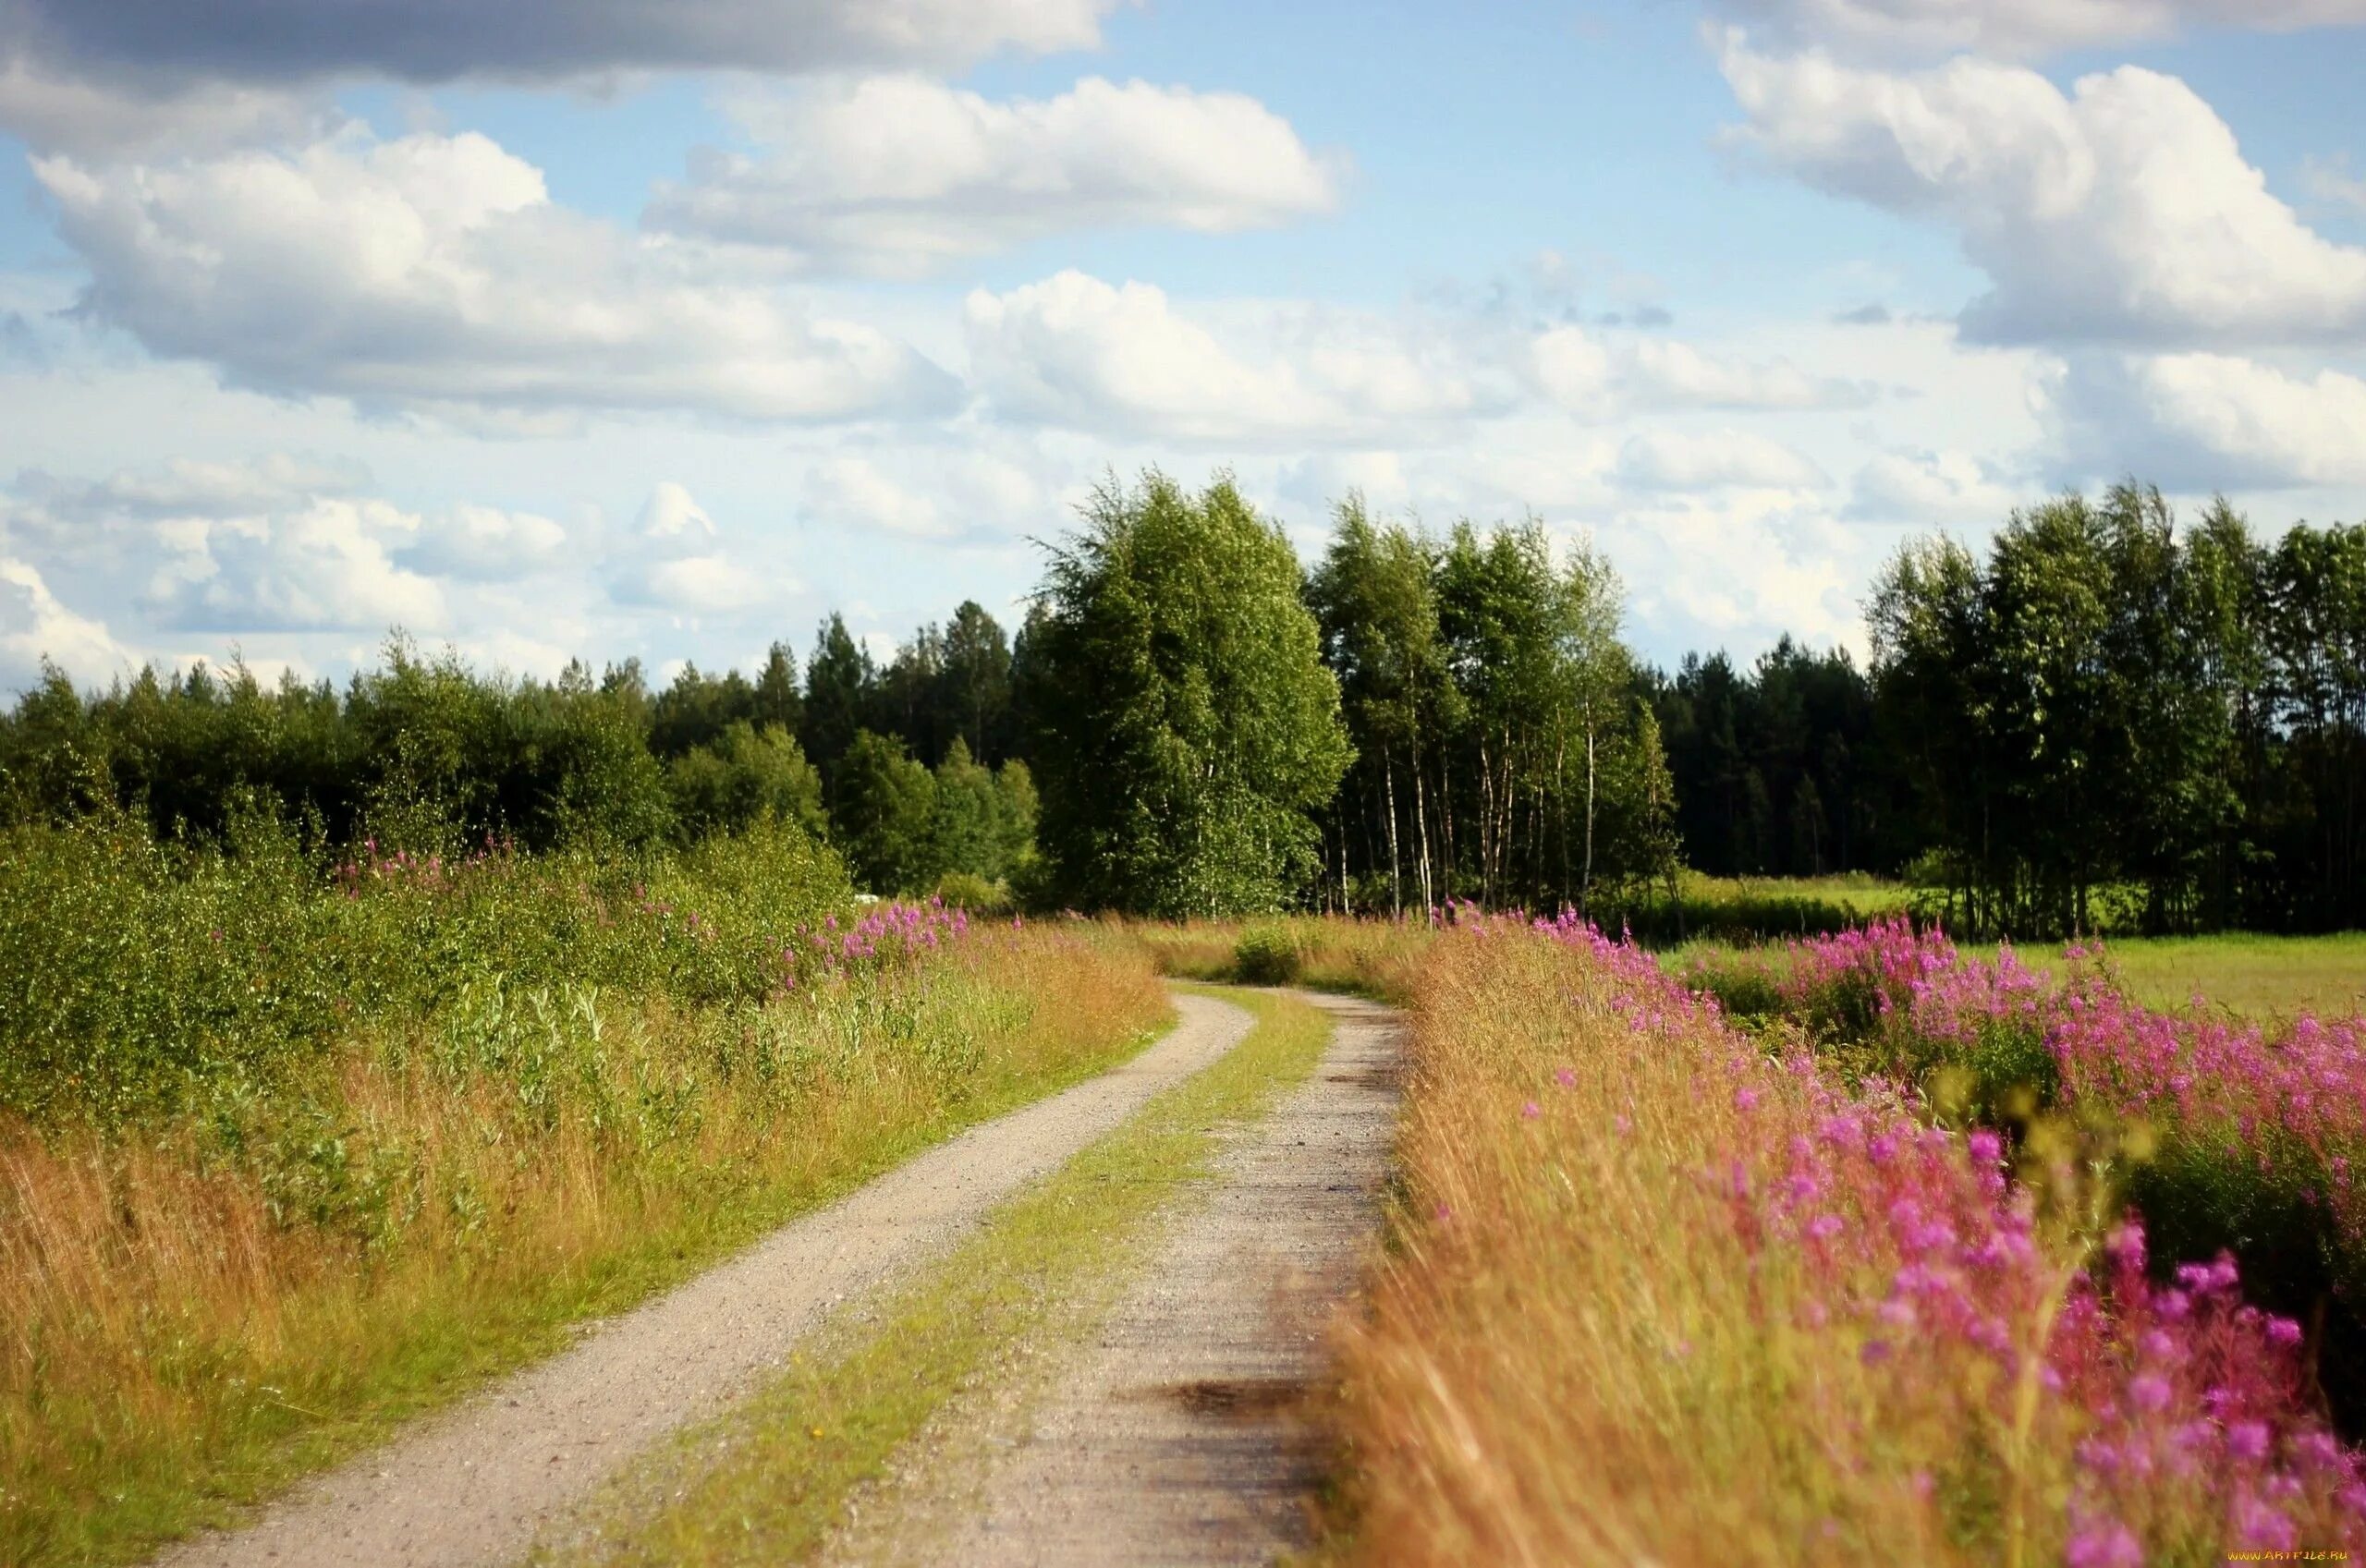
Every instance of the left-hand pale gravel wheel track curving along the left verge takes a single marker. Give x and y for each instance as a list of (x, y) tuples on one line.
[(472, 1486)]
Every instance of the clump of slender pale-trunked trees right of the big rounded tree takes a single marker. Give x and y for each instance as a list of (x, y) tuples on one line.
[(1501, 753)]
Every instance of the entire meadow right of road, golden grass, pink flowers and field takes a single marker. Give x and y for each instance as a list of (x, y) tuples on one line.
[(1854, 1248)]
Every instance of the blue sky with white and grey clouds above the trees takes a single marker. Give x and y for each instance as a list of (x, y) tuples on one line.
[(666, 328)]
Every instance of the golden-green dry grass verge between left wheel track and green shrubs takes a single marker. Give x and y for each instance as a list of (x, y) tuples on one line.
[(188, 1318)]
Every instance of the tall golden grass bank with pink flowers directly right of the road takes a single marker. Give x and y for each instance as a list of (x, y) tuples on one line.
[(1662, 1295)]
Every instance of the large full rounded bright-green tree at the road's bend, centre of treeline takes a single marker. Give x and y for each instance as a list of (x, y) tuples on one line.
[(1184, 723)]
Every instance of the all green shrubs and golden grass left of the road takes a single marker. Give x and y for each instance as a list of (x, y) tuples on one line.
[(297, 1148)]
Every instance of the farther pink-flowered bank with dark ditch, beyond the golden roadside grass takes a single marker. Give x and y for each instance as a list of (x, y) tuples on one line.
[(2228, 1136)]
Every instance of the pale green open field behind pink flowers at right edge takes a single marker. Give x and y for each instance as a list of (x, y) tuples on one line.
[(2249, 976)]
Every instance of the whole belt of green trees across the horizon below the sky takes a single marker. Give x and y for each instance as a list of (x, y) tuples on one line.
[(2107, 720)]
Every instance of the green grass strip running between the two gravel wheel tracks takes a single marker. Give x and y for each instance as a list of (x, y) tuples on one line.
[(770, 1482)]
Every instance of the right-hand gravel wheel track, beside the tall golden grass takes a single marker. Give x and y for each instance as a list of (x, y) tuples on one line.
[(1179, 1437)]
